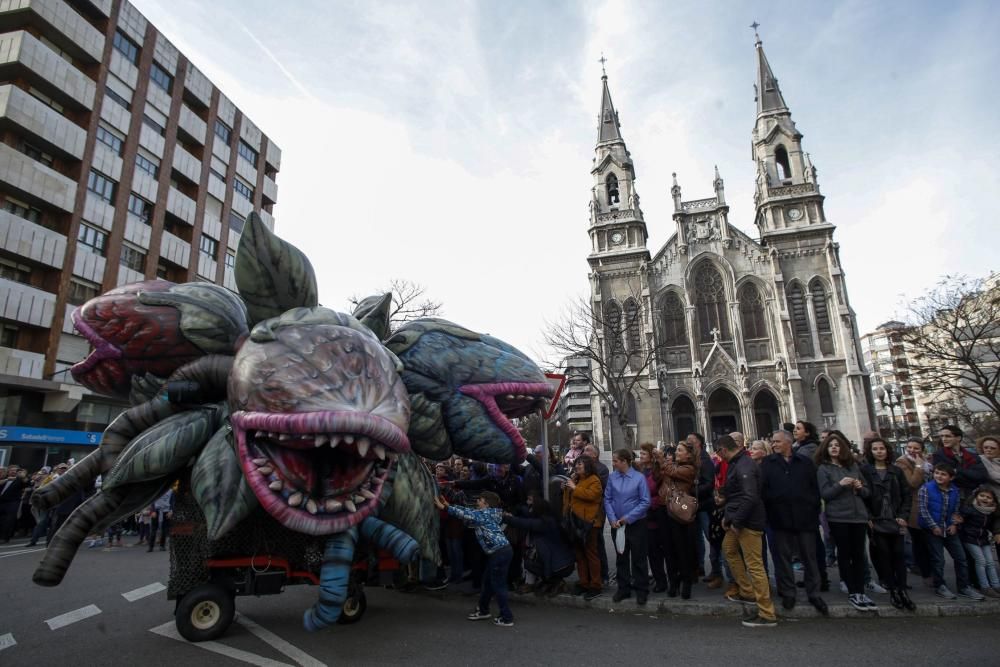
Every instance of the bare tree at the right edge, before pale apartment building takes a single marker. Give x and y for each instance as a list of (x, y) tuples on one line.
[(953, 340)]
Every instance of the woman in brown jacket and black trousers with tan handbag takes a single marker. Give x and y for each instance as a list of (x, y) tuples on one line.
[(679, 479)]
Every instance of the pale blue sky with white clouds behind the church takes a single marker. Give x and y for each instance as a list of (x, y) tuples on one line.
[(450, 143)]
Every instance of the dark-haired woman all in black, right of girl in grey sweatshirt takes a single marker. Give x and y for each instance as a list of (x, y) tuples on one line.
[(889, 505)]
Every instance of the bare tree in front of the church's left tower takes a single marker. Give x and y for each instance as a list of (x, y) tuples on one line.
[(611, 338)]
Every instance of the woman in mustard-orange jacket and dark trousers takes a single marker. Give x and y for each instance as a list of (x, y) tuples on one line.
[(582, 501)]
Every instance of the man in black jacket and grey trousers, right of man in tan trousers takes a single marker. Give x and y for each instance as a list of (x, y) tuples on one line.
[(791, 498)]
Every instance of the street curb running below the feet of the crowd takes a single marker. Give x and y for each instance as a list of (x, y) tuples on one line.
[(802, 610)]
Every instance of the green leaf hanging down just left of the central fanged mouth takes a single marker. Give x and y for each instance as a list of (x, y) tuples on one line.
[(219, 486)]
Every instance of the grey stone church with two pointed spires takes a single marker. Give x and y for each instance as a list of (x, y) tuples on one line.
[(725, 331)]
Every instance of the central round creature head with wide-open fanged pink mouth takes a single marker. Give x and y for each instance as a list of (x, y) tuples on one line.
[(320, 414)]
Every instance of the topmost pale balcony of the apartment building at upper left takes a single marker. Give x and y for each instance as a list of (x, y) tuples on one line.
[(57, 20)]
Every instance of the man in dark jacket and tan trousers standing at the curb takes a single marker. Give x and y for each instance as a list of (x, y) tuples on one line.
[(744, 523)]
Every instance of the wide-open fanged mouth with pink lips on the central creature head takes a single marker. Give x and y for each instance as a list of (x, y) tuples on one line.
[(317, 472)]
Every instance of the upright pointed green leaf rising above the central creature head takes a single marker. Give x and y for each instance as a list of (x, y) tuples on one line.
[(272, 275)]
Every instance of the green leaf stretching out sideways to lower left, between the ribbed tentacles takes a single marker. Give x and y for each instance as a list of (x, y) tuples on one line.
[(164, 448)]
